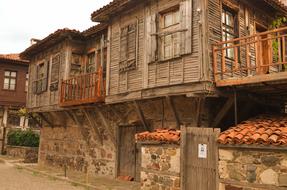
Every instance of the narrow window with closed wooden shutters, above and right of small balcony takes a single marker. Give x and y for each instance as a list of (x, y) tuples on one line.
[(128, 47)]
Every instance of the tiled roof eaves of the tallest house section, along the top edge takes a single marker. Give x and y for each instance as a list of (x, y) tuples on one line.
[(101, 14)]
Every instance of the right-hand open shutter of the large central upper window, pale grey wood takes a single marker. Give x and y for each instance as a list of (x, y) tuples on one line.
[(186, 25)]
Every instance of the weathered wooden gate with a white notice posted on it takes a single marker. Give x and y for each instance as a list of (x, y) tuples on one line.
[(199, 158)]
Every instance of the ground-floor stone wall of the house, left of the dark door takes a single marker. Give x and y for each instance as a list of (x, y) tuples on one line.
[(77, 149)]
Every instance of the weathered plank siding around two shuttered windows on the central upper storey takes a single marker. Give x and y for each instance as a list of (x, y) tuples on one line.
[(154, 74)]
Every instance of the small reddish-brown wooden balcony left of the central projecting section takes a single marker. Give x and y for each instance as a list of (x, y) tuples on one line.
[(83, 89)]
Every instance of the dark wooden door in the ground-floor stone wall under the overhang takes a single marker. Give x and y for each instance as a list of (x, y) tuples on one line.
[(128, 152)]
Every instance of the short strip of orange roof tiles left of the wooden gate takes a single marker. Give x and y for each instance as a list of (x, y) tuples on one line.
[(160, 135)]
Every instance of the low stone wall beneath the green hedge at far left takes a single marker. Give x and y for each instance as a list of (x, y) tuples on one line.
[(29, 154)]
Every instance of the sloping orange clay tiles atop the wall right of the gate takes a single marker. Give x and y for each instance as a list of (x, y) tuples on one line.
[(266, 130)]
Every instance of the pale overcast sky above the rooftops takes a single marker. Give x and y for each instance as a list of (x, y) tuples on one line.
[(22, 20)]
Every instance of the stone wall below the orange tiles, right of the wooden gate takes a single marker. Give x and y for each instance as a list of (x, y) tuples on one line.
[(256, 169)]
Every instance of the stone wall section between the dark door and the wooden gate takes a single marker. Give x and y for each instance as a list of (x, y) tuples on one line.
[(160, 167)]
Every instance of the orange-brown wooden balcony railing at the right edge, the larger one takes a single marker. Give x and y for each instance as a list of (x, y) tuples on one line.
[(253, 59)]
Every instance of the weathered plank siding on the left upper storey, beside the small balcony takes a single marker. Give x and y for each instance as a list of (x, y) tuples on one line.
[(49, 100)]
